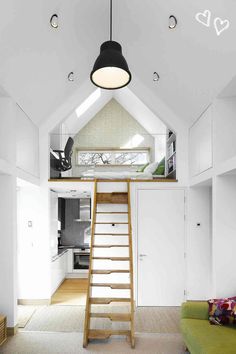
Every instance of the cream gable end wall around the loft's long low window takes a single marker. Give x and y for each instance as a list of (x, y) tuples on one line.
[(112, 127)]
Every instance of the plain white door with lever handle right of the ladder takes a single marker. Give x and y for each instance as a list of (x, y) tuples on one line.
[(161, 264)]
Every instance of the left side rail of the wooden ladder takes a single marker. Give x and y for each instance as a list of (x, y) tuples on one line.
[(88, 304)]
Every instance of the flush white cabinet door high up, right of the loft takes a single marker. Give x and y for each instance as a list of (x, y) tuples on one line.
[(200, 144)]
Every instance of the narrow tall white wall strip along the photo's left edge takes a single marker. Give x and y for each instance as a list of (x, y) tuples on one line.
[(8, 280)]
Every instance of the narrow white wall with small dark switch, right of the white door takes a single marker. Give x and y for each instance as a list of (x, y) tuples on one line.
[(199, 243)]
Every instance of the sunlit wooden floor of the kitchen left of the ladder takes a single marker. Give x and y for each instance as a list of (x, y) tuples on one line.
[(71, 292)]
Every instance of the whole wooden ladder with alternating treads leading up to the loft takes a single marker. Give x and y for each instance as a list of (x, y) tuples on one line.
[(89, 333)]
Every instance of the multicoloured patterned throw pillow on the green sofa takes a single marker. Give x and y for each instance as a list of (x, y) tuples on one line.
[(222, 311)]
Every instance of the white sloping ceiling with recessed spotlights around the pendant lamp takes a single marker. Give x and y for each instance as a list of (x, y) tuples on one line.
[(194, 63)]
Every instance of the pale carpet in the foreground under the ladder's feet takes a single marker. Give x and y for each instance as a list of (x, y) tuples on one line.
[(71, 343)]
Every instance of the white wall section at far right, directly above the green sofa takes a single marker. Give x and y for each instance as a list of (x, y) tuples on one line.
[(224, 239)]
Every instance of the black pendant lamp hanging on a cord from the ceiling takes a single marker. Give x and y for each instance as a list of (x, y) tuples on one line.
[(110, 70)]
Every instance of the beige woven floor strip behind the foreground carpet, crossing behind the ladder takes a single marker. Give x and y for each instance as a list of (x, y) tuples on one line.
[(71, 319)]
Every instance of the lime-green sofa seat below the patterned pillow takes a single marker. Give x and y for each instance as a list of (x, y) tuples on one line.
[(202, 338)]
